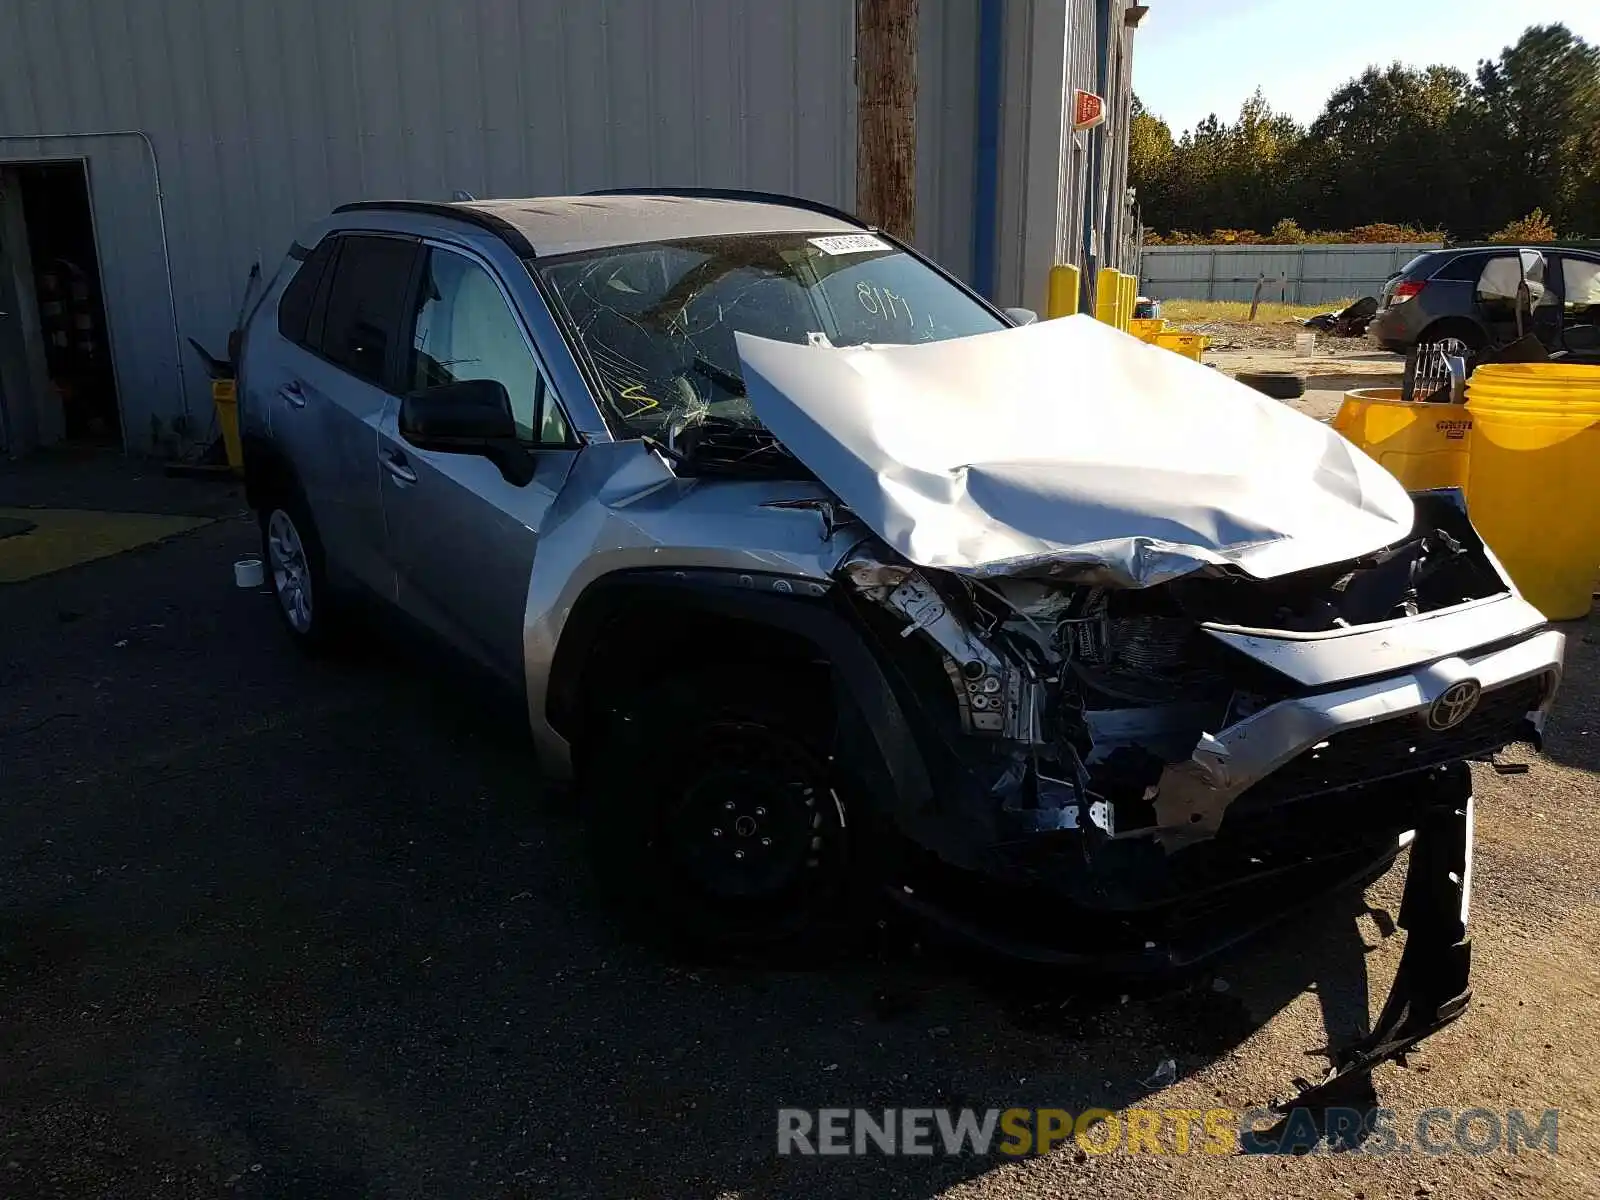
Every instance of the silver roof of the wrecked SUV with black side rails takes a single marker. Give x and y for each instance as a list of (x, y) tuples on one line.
[(566, 225)]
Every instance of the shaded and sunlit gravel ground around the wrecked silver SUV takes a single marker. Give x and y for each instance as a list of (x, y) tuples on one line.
[(287, 929)]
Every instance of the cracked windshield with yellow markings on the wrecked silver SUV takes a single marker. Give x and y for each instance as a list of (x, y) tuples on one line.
[(658, 321)]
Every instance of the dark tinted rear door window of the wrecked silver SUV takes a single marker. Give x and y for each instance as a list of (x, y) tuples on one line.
[(362, 321)]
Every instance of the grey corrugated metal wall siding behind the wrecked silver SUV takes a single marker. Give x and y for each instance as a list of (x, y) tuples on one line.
[(265, 116)]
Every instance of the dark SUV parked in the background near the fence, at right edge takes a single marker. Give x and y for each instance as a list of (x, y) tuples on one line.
[(1470, 294)]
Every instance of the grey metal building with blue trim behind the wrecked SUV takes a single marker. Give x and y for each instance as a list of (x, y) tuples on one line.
[(156, 154)]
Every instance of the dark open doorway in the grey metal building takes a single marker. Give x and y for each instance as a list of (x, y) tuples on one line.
[(47, 249)]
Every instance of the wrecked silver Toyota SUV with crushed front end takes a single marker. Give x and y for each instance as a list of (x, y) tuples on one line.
[(818, 570)]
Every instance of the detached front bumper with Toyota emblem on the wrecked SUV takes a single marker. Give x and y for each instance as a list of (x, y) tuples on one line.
[(1282, 807)]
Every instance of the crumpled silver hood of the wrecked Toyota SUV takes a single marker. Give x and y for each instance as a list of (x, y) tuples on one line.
[(1071, 450)]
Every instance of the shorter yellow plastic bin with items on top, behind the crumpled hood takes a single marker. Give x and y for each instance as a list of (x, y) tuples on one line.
[(1422, 446)]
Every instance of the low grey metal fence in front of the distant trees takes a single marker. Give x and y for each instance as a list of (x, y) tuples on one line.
[(1314, 274)]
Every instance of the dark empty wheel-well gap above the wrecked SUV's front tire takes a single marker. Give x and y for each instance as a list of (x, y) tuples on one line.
[(628, 638)]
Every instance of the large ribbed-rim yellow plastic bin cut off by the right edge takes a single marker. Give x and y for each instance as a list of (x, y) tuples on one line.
[(1535, 482)]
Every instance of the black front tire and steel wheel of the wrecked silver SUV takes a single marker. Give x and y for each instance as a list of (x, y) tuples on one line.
[(718, 823)]
